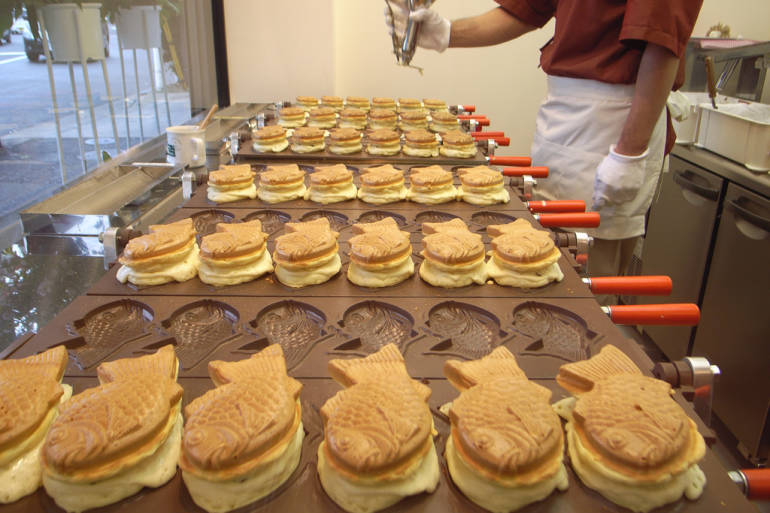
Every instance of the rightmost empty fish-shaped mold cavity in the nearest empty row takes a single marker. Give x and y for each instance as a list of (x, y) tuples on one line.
[(557, 332)]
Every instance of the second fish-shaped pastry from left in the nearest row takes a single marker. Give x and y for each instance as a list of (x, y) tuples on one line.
[(110, 441)]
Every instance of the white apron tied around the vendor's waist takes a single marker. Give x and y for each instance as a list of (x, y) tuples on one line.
[(576, 124)]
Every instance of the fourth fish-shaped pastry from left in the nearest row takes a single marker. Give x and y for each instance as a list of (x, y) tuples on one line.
[(377, 446)]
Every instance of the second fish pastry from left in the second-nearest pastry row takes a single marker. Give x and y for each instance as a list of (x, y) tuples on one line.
[(235, 253)]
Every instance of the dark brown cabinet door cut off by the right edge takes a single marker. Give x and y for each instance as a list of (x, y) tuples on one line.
[(734, 331)]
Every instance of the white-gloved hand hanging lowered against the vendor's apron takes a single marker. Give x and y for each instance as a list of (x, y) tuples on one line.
[(618, 178)]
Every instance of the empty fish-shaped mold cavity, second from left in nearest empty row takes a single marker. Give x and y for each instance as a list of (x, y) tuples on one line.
[(199, 328)]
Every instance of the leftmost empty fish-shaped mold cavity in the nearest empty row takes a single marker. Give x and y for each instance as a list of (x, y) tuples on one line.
[(105, 329)]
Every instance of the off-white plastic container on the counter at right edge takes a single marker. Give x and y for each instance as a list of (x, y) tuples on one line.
[(738, 131)]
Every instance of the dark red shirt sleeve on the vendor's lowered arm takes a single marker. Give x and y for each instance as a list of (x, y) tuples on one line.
[(666, 23)]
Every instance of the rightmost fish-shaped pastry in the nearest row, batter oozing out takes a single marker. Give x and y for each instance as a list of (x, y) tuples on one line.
[(626, 436)]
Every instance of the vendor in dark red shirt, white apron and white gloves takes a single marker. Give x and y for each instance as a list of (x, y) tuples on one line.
[(602, 130)]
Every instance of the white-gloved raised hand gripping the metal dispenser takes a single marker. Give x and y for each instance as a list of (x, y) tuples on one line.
[(434, 29)]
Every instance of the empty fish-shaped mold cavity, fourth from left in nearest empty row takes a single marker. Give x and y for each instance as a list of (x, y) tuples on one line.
[(374, 324)]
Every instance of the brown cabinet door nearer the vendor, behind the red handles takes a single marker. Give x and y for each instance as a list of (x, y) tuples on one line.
[(679, 234)]
